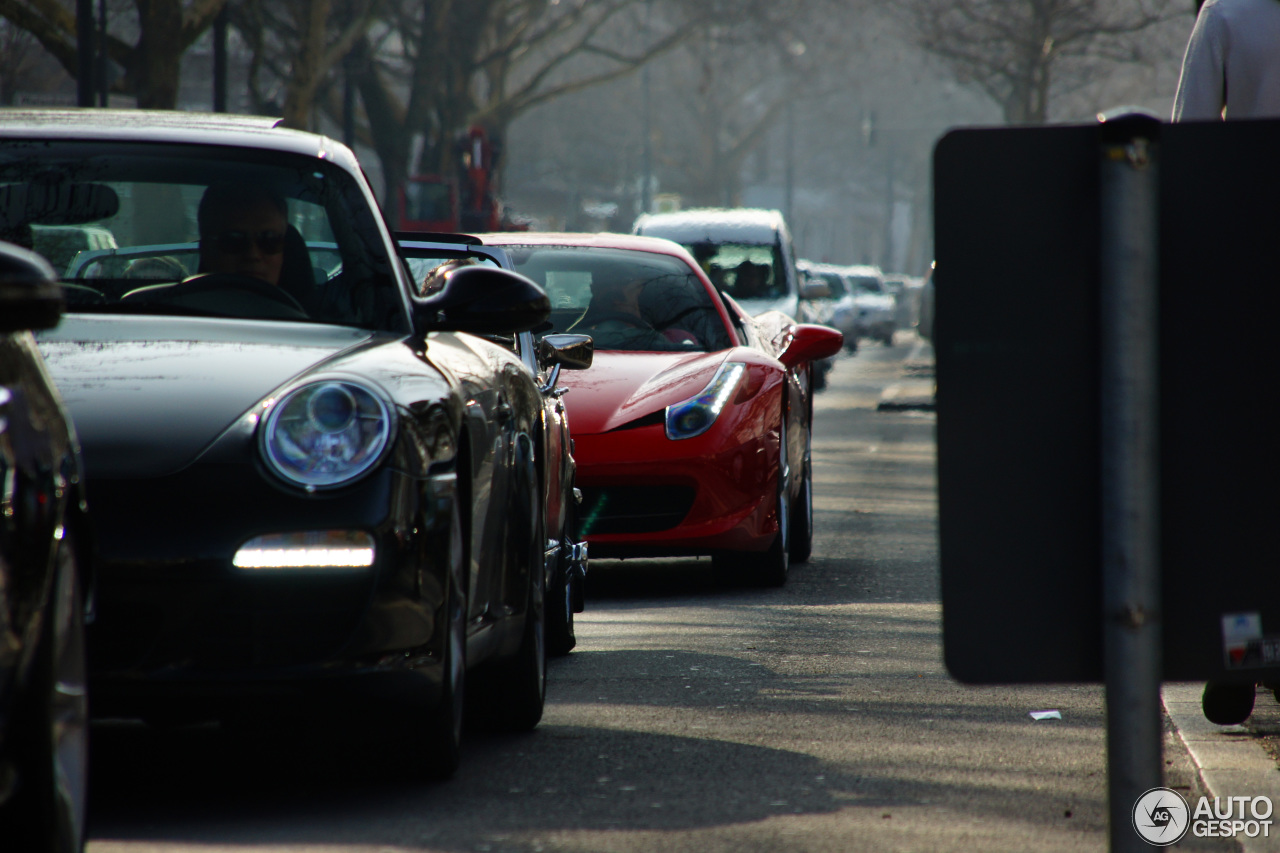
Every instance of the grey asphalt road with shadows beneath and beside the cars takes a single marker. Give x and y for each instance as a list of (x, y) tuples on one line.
[(693, 717)]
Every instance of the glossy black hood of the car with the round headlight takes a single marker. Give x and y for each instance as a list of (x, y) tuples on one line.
[(149, 395)]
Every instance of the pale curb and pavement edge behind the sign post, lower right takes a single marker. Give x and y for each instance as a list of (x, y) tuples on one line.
[(1228, 760)]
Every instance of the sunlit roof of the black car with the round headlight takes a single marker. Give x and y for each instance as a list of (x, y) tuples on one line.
[(171, 126)]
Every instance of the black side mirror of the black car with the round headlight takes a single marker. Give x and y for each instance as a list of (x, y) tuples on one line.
[(483, 300)]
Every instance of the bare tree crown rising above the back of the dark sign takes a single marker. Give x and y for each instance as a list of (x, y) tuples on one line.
[(1026, 53)]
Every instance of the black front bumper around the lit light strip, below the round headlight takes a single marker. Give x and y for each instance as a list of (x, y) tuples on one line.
[(177, 621)]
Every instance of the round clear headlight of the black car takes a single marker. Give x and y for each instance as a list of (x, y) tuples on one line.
[(326, 435)]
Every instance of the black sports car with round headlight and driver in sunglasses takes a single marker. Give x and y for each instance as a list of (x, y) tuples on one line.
[(312, 482)]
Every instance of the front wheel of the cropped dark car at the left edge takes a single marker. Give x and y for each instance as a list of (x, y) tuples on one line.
[(51, 729)]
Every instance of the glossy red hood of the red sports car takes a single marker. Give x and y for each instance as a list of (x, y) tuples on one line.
[(623, 387)]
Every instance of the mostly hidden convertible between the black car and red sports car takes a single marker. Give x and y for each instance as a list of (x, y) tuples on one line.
[(428, 256)]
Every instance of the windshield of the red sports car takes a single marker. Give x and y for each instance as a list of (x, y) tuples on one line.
[(625, 300)]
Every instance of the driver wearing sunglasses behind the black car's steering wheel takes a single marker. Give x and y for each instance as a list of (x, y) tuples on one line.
[(243, 231)]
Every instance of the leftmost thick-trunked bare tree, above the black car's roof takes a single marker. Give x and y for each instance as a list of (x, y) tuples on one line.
[(153, 62)]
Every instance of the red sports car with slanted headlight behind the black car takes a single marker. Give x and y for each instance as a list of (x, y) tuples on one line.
[(693, 426)]
